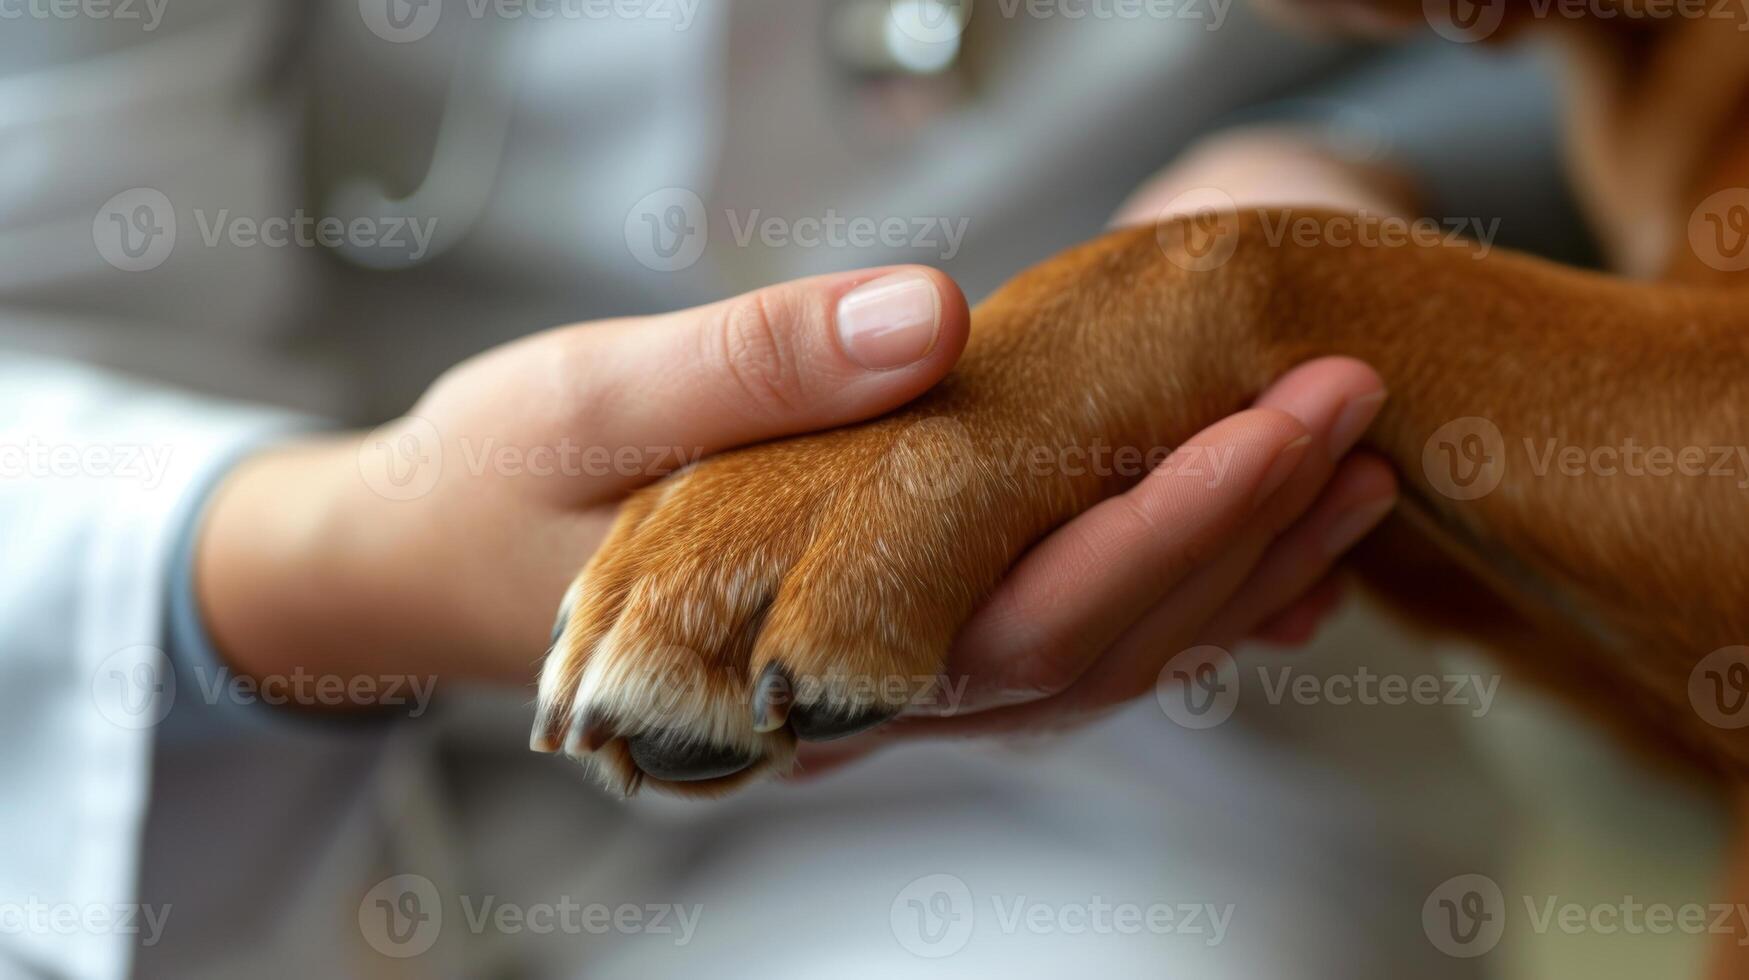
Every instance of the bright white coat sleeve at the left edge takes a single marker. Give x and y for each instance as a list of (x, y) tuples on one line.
[(99, 477)]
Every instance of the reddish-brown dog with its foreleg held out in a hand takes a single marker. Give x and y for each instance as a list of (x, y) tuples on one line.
[(779, 582)]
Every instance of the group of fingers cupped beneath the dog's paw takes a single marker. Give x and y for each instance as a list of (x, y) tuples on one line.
[(1091, 617)]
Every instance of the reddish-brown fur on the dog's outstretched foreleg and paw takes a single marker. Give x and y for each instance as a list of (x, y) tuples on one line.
[(842, 552)]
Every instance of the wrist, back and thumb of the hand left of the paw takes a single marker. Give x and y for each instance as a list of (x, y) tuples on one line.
[(440, 545)]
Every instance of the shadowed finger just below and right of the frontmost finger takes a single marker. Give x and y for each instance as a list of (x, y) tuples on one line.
[(1356, 501)]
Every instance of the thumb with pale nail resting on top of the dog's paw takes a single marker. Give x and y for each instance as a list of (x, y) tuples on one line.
[(786, 360)]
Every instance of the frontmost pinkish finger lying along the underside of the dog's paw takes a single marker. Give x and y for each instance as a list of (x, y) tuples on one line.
[(1080, 587)]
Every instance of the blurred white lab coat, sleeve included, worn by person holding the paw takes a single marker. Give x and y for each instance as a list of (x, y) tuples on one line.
[(267, 837)]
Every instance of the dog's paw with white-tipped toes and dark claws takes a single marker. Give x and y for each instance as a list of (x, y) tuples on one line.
[(800, 591)]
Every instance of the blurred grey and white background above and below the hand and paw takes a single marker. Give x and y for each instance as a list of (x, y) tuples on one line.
[(527, 165)]
